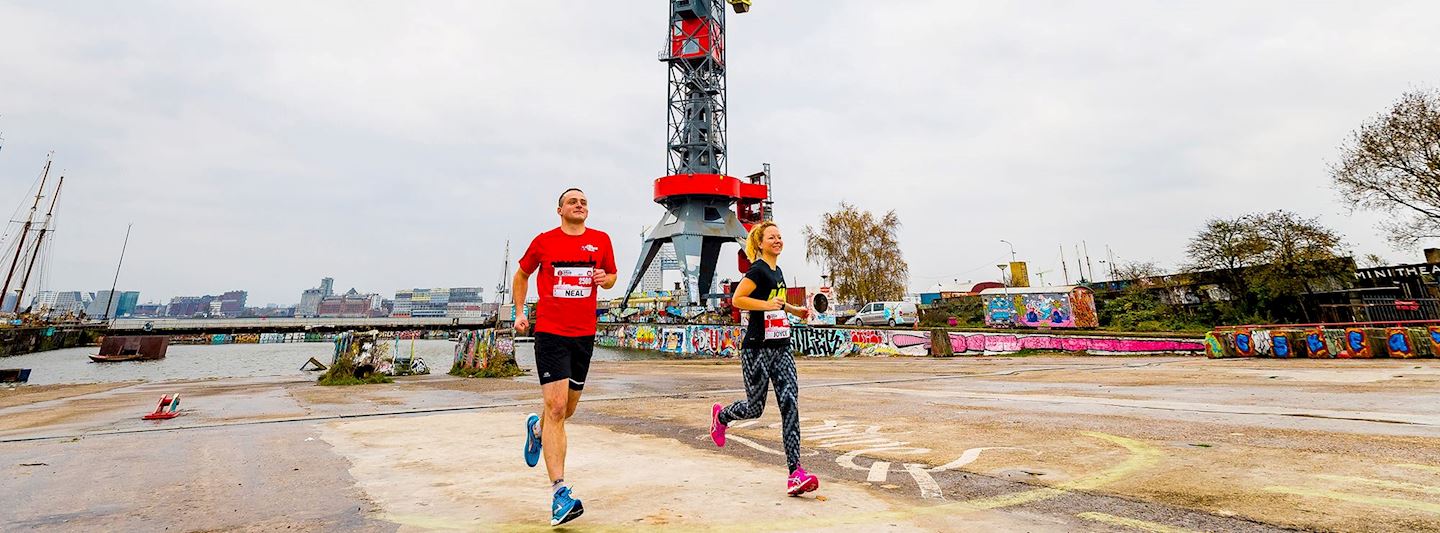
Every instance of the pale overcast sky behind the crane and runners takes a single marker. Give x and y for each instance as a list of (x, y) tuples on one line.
[(263, 146)]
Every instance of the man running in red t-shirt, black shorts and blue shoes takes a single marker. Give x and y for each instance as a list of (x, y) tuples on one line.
[(572, 261)]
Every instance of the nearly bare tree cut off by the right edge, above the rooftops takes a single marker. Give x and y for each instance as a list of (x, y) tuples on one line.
[(1393, 165)]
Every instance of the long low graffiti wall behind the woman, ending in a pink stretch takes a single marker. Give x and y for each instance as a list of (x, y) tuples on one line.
[(829, 342)]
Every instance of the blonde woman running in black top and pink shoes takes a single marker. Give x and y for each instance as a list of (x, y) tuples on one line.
[(765, 357)]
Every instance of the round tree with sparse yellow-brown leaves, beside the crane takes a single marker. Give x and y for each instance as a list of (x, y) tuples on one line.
[(860, 253)]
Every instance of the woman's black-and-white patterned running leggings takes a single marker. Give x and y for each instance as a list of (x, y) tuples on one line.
[(762, 367)]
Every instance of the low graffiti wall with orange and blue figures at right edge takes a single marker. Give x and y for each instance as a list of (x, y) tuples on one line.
[(1326, 342)]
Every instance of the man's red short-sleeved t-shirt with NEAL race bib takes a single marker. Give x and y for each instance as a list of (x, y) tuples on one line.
[(567, 285)]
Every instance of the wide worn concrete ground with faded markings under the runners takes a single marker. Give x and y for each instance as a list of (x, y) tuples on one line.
[(1118, 444)]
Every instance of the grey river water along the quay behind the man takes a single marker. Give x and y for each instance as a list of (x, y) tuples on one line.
[(240, 361)]
